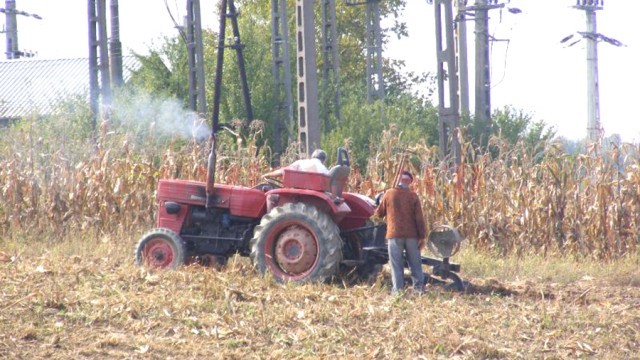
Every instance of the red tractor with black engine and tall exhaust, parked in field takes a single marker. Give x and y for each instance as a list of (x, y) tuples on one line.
[(302, 229)]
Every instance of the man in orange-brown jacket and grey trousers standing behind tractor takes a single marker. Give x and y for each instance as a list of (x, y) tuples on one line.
[(405, 231)]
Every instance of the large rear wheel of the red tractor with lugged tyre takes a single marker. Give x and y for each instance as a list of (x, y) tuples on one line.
[(297, 242)]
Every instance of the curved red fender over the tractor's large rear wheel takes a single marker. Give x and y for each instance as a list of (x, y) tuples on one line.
[(337, 209)]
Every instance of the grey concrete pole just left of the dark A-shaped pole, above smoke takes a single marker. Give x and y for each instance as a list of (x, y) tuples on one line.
[(197, 101)]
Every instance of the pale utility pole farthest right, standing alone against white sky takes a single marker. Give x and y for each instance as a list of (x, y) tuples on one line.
[(594, 129)]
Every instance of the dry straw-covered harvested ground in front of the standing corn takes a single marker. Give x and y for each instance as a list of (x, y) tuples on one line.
[(83, 298)]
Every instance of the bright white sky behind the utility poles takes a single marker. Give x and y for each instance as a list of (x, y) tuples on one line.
[(532, 72)]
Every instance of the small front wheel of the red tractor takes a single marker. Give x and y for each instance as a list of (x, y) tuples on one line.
[(161, 248)]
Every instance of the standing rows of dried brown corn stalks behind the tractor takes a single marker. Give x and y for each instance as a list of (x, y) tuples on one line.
[(516, 201)]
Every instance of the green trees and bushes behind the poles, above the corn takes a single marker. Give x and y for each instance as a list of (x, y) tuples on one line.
[(165, 72)]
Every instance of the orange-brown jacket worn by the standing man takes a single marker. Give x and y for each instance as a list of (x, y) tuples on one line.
[(403, 213)]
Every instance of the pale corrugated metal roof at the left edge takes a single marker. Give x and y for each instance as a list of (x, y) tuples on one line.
[(35, 86)]
